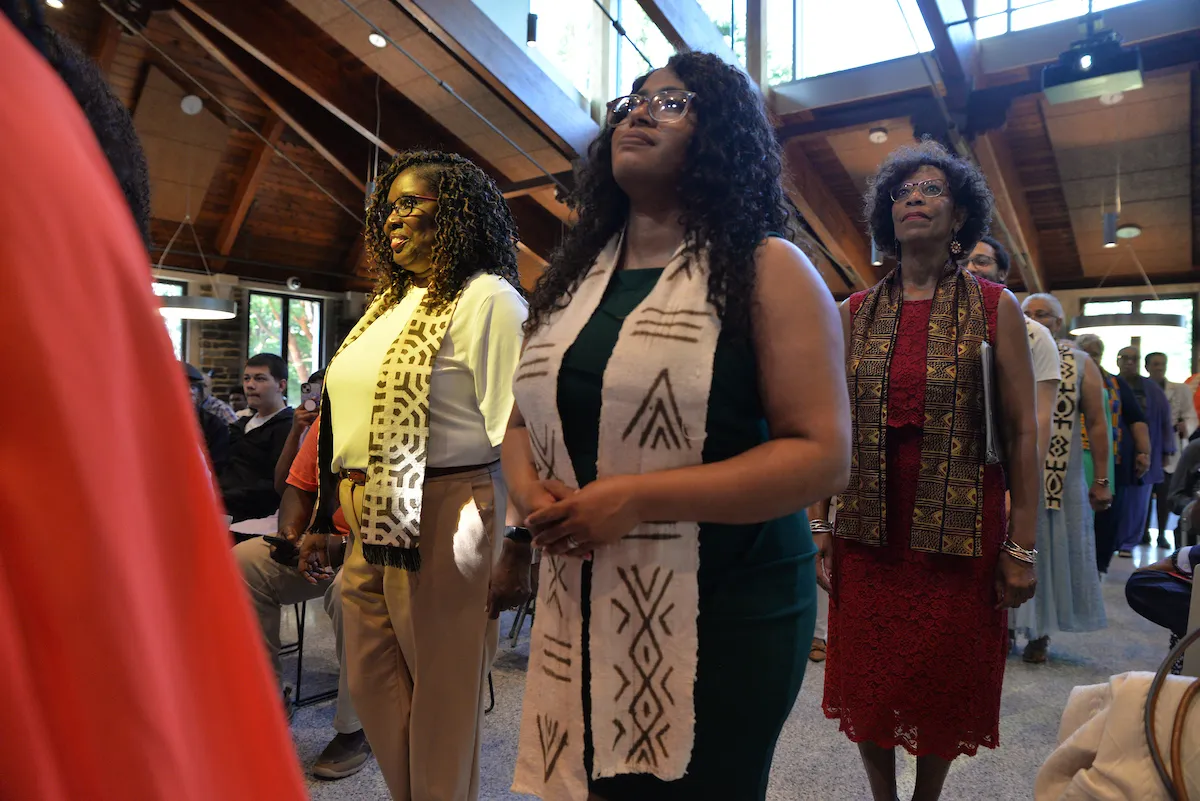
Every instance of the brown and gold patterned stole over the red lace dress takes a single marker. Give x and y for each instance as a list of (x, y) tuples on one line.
[(949, 514)]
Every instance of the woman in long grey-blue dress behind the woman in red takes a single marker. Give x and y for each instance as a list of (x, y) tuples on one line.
[(1069, 597)]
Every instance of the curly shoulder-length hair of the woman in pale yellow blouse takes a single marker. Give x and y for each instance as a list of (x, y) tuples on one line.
[(476, 230)]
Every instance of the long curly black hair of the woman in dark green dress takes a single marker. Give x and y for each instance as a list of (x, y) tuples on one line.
[(730, 190)]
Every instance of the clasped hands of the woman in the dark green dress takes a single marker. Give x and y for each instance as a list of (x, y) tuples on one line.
[(577, 522)]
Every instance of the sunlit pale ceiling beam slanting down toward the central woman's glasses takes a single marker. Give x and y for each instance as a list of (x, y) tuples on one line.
[(467, 32)]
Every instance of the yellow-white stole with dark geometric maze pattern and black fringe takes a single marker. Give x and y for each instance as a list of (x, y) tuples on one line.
[(400, 436)]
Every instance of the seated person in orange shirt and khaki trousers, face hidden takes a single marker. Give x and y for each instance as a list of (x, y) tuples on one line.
[(274, 586)]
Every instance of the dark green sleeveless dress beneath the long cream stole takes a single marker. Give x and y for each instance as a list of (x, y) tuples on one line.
[(758, 587)]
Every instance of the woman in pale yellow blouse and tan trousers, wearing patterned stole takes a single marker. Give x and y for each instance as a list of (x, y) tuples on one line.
[(415, 406)]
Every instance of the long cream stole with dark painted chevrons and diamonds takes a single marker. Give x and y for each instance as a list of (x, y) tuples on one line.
[(645, 598)]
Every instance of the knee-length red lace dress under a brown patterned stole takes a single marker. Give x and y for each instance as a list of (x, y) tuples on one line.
[(916, 654)]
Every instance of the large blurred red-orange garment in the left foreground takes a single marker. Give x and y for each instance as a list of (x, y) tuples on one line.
[(130, 665)]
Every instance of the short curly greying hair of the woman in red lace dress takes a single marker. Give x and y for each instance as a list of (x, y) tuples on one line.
[(968, 185)]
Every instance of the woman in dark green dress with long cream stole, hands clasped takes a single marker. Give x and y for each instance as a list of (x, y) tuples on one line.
[(663, 449)]
